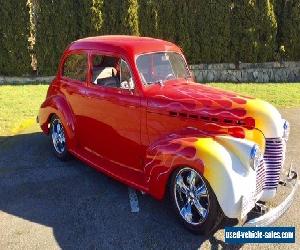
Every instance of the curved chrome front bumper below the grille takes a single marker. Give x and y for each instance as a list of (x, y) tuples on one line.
[(275, 213)]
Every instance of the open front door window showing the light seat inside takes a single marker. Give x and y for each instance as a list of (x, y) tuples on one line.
[(109, 71)]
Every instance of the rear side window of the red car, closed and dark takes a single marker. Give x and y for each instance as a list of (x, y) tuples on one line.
[(75, 67)]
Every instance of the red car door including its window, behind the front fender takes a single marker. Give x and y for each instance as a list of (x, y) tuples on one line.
[(113, 112)]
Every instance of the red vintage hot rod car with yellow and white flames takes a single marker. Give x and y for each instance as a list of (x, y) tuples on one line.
[(128, 106)]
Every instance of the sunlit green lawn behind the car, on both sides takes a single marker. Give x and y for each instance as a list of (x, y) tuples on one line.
[(19, 104)]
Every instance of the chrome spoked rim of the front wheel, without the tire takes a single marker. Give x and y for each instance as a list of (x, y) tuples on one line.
[(191, 196)]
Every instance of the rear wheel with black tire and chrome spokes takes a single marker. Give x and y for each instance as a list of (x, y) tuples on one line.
[(62, 151)]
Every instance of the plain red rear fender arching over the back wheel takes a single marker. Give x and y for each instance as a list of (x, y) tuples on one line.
[(59, 106)]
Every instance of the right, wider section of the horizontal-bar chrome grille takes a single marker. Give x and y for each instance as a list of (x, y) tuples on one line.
[(274, 158)]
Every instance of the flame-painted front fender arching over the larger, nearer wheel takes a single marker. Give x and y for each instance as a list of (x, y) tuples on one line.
[(229, 178)]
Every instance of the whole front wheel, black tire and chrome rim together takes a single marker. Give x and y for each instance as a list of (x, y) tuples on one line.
[(194, 201)]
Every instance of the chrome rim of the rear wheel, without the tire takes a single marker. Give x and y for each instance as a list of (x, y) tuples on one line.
[(58, 136)]
